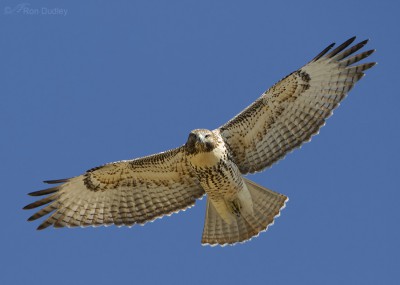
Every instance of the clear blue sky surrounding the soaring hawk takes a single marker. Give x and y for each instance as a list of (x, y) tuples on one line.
[(111, 81)]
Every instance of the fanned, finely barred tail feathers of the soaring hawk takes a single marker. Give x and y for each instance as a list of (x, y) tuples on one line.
[(266, 206)]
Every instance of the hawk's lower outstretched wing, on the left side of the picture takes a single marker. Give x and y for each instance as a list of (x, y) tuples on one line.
[(121, 193)]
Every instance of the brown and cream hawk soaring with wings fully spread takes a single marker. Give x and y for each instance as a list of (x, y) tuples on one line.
[(138, 191)]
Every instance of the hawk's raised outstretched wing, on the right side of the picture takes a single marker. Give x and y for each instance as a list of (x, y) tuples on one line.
[(294, 109)]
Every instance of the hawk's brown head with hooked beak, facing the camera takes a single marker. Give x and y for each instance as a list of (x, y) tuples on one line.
[(201, 140)]
